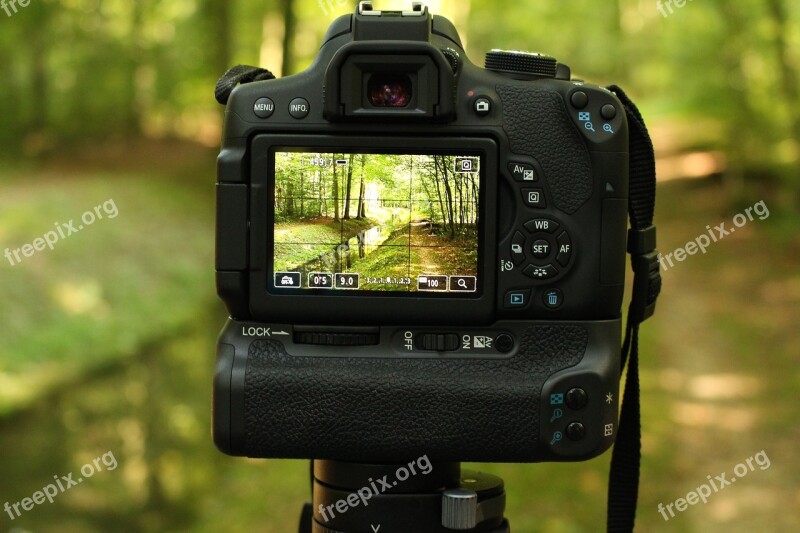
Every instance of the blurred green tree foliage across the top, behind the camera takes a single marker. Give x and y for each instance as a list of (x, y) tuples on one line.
[(80, 70)]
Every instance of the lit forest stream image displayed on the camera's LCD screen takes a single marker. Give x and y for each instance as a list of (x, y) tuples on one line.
[(376, 222)]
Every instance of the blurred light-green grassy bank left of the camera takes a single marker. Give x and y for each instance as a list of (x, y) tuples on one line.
[(102, 292)]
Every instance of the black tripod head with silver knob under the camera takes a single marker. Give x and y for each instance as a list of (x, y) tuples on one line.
[(403, 498)]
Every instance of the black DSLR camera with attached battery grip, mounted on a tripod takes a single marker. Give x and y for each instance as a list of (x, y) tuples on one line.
[(420, 256)]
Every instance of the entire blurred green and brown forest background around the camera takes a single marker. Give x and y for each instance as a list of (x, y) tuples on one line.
[(108, 338)]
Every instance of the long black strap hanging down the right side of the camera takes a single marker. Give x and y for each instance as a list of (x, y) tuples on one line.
[(623, 484)]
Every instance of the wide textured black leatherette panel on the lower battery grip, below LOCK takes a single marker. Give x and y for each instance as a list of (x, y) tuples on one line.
[(450, 409)]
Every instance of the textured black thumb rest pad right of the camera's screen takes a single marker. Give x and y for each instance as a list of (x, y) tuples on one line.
[(537, 125)]
